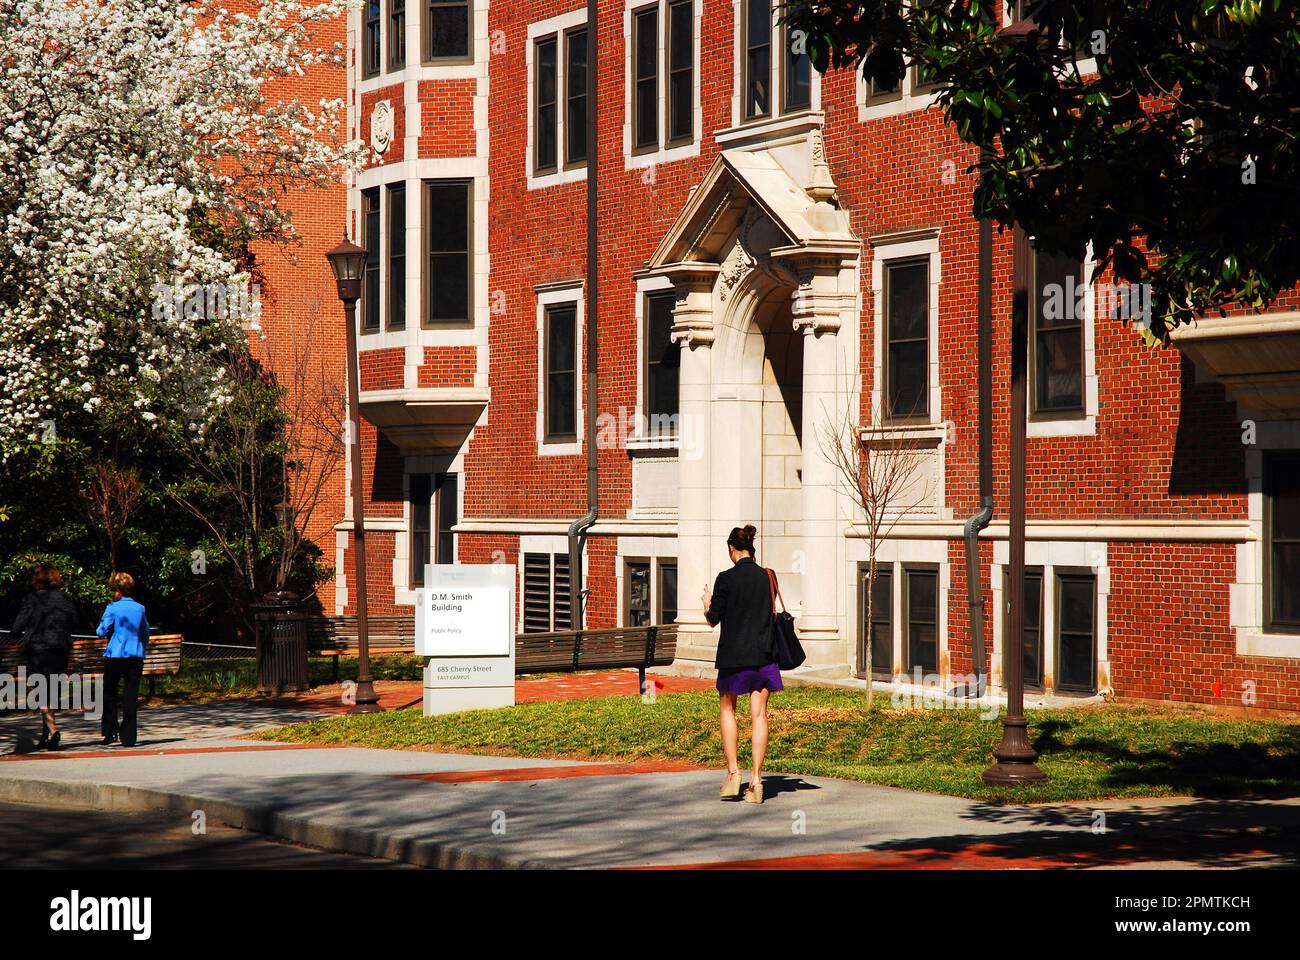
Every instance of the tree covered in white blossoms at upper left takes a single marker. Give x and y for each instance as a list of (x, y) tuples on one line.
[(144, 148)]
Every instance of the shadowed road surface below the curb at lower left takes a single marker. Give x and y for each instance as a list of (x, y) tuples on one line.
[(44, 838)]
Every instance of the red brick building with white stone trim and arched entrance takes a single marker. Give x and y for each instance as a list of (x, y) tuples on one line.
[(782, 256)]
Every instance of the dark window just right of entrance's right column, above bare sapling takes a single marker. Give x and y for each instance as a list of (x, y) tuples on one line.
[(907, 325)]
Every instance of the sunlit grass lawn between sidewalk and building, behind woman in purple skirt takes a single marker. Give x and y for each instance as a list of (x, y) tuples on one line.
[(1087, 753)]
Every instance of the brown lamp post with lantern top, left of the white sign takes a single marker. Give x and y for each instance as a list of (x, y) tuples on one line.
[(348, 261)]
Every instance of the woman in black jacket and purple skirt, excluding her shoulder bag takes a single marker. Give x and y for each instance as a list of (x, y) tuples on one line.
[(742, 602)]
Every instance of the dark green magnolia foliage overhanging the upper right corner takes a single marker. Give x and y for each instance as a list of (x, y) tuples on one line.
[(1163, 133)]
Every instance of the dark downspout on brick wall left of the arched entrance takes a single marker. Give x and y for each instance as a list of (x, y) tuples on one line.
[(578, 530)]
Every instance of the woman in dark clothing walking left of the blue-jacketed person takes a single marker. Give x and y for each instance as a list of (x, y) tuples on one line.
[(45, 630)]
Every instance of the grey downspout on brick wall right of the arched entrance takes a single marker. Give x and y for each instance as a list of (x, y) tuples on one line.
[(974, 582)]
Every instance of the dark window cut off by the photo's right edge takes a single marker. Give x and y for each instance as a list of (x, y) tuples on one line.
[(1282, 547)]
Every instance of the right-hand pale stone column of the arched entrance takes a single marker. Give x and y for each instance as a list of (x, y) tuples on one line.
[(817, 305)]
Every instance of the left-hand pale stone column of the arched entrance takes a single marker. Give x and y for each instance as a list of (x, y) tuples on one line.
[(694, 332)]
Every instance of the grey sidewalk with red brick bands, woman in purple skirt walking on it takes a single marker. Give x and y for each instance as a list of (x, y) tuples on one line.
[(441, 810)]
